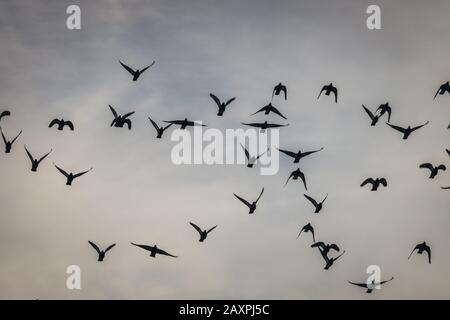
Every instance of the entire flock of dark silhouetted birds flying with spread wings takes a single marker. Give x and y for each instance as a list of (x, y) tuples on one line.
[(327, 251)]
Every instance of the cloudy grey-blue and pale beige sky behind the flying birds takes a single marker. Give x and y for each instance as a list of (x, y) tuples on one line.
[(136, 194)]
